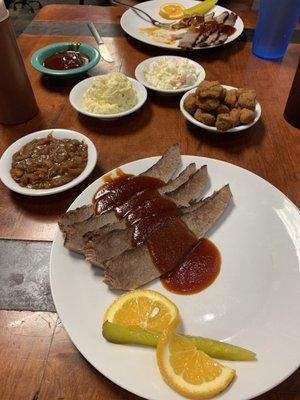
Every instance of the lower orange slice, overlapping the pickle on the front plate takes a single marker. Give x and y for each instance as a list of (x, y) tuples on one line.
[(189, 371)]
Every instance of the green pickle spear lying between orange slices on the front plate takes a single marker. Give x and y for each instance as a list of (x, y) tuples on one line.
[(130, 335)]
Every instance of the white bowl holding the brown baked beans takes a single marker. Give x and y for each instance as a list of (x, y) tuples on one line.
[(6, 161)]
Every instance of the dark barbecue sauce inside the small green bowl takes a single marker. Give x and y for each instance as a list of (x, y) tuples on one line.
[(66, 60)]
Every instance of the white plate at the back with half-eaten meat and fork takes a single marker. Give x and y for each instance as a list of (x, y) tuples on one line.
[(132, 23)]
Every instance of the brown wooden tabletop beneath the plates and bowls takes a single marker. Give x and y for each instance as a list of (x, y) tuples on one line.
[(37, 359)]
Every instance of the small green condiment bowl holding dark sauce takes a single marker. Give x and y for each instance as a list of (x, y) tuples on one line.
[(38, 58)]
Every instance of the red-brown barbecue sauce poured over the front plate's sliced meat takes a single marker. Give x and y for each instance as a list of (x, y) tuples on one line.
[(189, 265)]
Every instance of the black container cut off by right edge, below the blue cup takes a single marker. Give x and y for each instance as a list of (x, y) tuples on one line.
[(292, 108)]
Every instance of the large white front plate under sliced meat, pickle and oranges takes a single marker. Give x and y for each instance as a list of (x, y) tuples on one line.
[(254, 302)]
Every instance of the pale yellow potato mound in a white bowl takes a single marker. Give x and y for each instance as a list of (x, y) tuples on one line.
[(110, 94)]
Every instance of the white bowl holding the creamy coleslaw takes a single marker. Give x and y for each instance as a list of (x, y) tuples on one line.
[(139, 74)]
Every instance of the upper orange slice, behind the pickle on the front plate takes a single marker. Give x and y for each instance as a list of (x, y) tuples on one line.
[(145, 309)]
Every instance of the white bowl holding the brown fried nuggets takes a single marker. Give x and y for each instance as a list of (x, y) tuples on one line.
[(239, 128)]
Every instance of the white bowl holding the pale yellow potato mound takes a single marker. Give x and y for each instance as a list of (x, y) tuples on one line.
[(76, 99)]
